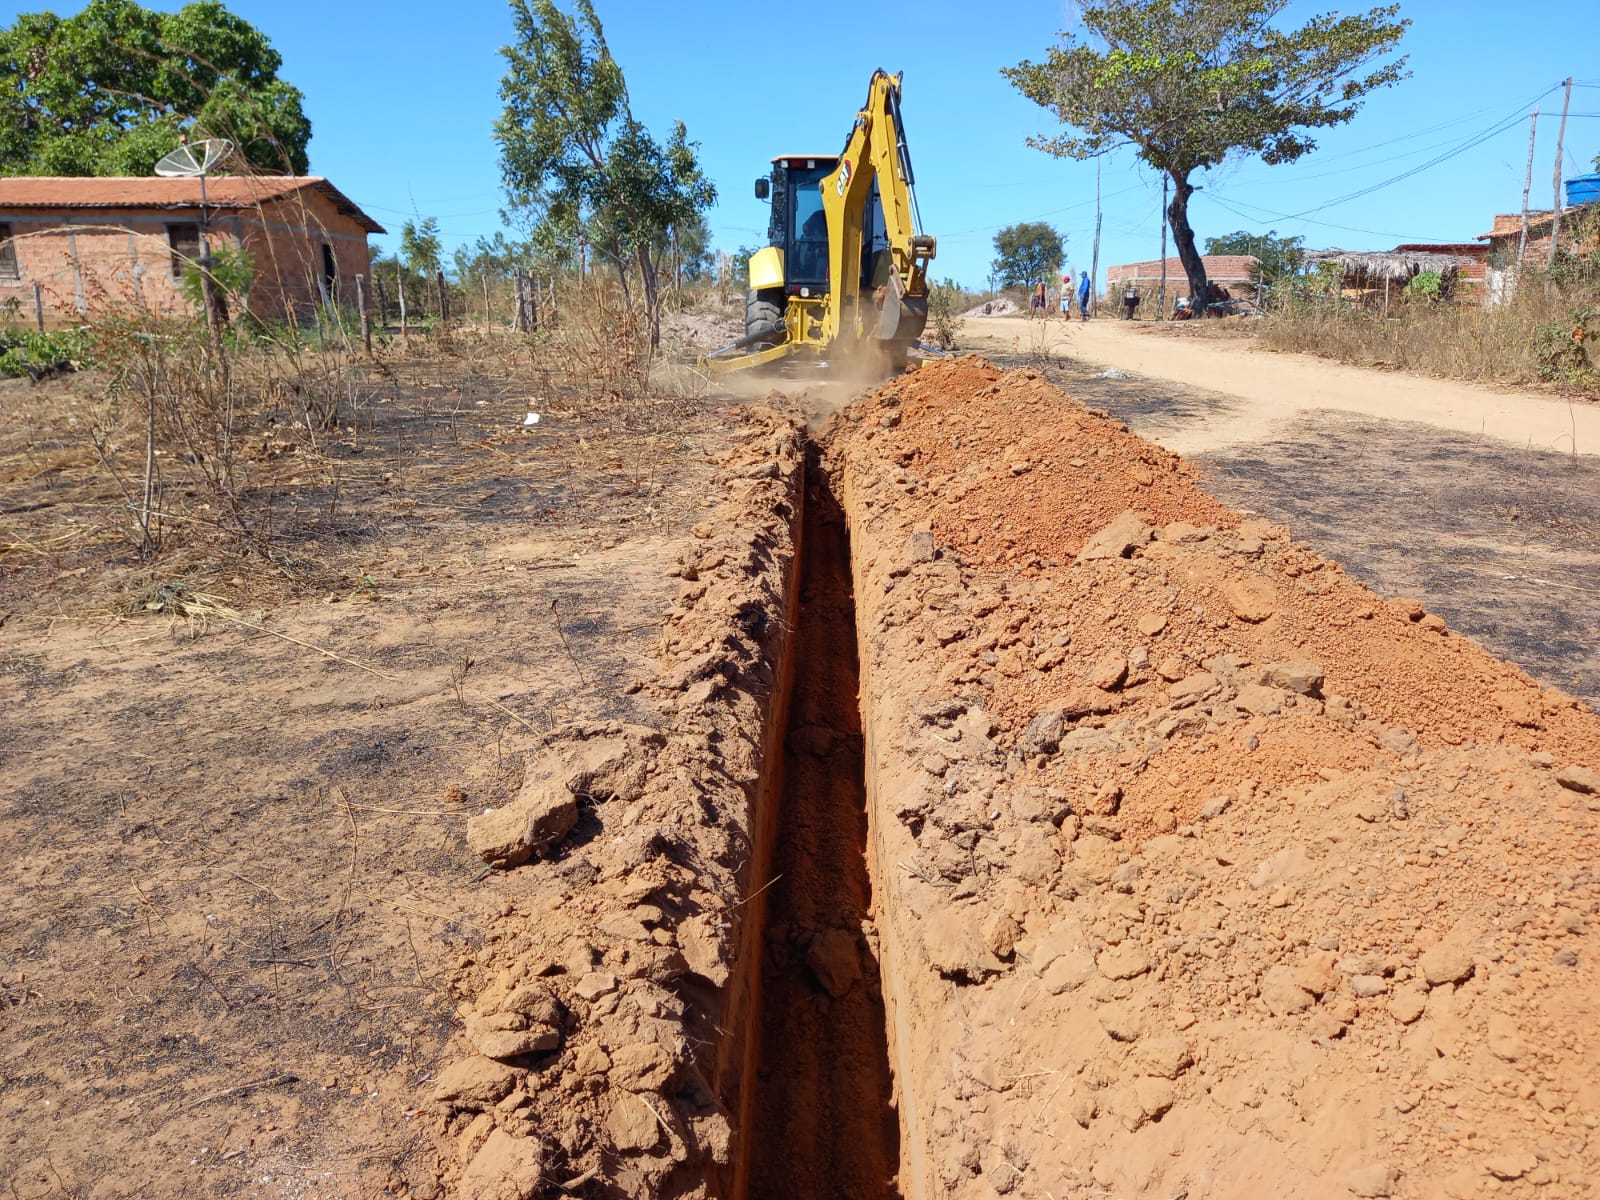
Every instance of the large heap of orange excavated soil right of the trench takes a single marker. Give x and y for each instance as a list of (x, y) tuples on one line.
[(1201, 870)]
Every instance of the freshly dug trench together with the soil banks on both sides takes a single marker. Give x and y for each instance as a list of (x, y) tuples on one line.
[(1023, 822)]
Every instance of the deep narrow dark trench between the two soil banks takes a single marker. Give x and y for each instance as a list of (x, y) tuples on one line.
[(823, 1106)]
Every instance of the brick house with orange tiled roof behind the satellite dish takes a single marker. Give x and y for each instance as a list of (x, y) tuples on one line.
[(122, 242)]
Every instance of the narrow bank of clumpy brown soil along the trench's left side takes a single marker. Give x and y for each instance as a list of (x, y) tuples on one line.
[(612, 1010)]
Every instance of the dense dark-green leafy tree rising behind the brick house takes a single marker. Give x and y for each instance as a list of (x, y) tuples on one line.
[(116, 87)]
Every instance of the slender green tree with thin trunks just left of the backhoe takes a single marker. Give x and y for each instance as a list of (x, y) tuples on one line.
[(574, 153)]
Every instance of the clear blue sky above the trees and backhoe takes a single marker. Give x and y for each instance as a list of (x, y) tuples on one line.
[(402, 97)]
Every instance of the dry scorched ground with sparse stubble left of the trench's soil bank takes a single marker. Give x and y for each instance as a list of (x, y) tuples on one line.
[(236, 876)]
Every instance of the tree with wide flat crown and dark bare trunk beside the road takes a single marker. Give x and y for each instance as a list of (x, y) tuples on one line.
[(1191, 82)]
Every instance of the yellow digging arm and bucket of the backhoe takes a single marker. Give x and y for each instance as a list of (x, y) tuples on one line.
[(895, 310)]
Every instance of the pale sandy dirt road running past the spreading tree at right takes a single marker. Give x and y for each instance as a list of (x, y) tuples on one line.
[(1270, 390)]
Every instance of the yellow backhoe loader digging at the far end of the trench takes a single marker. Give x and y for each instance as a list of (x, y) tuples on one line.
[(844, 284)]
